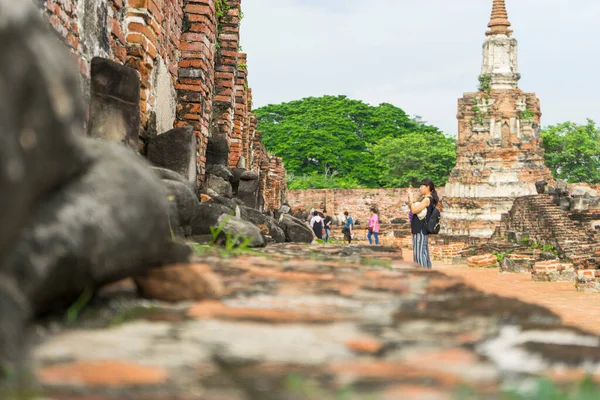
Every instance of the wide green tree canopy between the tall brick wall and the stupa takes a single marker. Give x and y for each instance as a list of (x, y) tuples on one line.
[(333, 141)]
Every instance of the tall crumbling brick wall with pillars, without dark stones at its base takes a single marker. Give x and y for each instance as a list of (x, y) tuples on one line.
[(191, 72)]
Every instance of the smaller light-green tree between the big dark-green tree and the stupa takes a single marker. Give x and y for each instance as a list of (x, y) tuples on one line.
[(407, 160)]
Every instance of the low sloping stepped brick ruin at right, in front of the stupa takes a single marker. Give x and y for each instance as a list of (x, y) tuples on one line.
[(566, 225)]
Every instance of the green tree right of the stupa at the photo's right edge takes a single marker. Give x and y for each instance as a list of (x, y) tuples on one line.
[(573, 151)]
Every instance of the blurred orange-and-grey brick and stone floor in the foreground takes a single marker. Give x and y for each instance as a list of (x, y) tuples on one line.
[(304, 322)]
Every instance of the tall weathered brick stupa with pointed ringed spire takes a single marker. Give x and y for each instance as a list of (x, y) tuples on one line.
[(499, 154)]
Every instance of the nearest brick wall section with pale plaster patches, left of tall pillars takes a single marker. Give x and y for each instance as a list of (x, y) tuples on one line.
[(143, 34)]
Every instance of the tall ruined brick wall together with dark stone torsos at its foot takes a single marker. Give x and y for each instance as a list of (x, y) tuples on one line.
[(149, 66)]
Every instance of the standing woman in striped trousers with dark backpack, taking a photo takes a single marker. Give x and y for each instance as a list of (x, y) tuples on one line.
[(420, 211)]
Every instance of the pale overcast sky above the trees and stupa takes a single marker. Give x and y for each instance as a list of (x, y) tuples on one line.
[(420, 55)]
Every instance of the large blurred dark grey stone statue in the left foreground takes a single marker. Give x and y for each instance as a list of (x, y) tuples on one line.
[(76, 213)]
